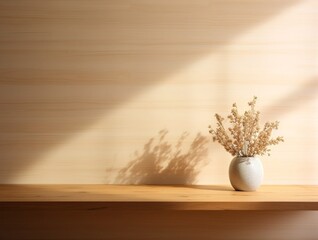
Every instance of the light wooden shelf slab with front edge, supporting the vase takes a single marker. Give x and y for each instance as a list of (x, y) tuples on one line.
[(155, 197)]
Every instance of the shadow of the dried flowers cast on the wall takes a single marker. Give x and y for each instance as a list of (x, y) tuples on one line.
[(161, 162)]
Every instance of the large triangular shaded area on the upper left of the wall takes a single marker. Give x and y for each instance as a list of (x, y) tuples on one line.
[(65, 65)]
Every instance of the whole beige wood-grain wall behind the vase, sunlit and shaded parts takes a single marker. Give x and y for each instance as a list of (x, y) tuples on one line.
[(88, 88)]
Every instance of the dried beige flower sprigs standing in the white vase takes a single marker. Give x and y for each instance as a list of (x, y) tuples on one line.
[(247, 139)]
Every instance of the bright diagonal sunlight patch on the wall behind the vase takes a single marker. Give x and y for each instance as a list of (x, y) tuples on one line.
[(263, 61)]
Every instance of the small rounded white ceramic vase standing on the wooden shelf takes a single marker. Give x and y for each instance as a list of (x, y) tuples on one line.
[(246, 173)]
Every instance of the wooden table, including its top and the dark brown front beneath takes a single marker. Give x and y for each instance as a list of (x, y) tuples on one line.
[(156, 212)]
